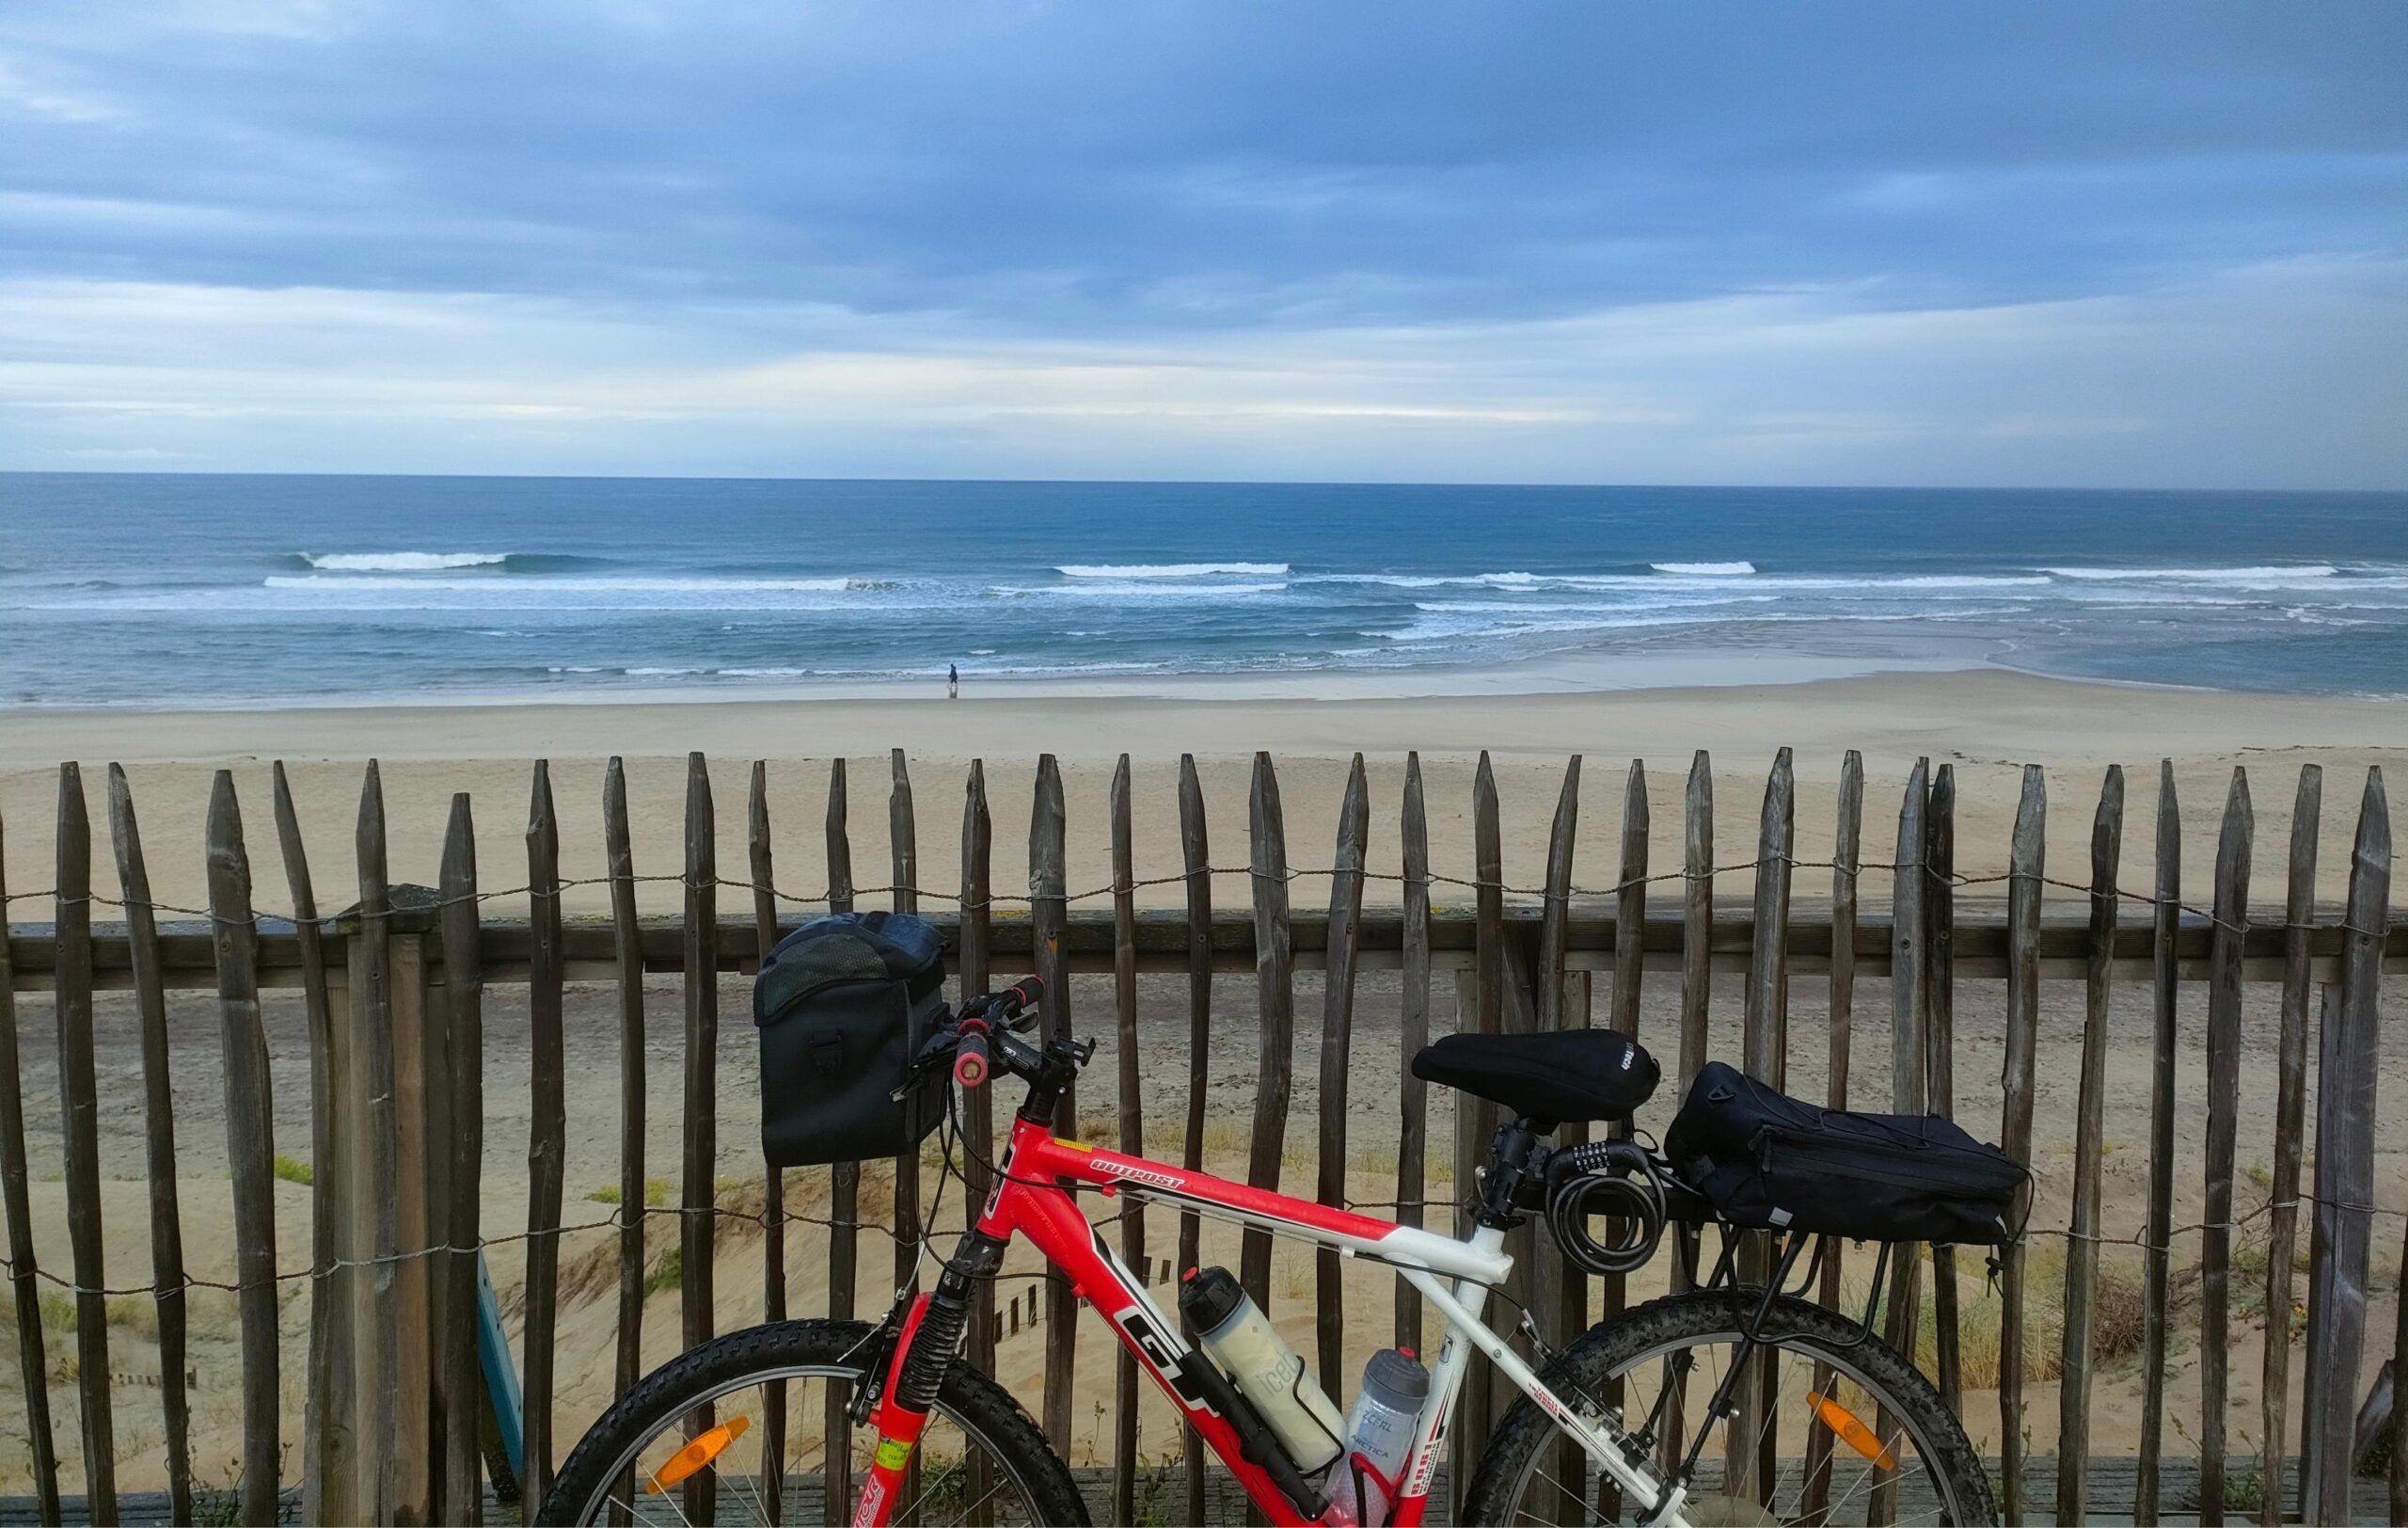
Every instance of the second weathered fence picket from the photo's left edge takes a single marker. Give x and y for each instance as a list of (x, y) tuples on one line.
[(81, 1127)]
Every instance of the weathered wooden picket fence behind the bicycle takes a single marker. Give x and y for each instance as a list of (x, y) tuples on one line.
[(394, 999)]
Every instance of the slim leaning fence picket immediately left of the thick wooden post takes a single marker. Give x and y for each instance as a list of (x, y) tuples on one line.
[(324, 1459)]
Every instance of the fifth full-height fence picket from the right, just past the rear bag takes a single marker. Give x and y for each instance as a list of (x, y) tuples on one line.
[(2089, 1146)]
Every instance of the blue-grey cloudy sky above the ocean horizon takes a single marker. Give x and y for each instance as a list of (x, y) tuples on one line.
[(2087, 245)]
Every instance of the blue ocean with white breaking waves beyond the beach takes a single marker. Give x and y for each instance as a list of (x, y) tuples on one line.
[(225, 592)]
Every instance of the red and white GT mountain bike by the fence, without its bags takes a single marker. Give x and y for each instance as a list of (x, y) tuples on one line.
[(1788, 1409)]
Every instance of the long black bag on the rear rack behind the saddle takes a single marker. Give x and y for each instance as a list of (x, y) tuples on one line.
[(1769, 1160)]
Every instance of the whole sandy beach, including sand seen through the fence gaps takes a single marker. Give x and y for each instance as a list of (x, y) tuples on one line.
[(1983, 722)]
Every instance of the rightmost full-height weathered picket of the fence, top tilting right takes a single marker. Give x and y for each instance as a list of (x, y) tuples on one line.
[(2342, 1226)]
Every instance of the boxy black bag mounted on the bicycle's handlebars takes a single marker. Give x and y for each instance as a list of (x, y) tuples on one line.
[(844, 1004)]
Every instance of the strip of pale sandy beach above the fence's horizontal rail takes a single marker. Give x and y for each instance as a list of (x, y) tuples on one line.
[(1988, 724)]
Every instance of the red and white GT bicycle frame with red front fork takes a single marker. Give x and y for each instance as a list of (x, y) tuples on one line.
[(1032, 1199)]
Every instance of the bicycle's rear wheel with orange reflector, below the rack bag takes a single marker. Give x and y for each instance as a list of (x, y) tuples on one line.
[(1851, 1433)]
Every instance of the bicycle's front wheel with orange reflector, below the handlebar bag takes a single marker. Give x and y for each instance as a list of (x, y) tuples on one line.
[(750, 1428)]
